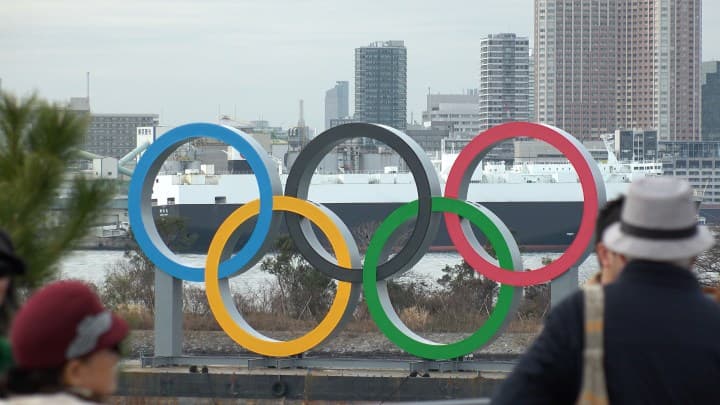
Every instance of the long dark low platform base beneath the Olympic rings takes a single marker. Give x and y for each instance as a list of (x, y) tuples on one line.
[(307, 386)]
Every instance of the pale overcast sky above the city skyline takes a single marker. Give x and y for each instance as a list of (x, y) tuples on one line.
[(187, 60)]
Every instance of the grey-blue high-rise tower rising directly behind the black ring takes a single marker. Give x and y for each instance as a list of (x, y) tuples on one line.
[(381, 83)]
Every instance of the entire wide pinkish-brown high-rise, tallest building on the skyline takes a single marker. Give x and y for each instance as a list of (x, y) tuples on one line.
[(603, 65)]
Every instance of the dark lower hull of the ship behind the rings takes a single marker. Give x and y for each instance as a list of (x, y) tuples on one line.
[(543, 226)]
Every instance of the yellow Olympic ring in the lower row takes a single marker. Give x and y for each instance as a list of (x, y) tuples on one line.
[(251, 339)]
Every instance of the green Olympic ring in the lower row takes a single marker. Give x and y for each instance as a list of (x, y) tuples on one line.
[(399, 333)]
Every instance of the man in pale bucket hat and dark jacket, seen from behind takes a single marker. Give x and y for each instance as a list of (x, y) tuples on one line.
[(652, 336)]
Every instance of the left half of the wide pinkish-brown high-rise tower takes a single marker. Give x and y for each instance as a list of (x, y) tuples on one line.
[(575, 60)]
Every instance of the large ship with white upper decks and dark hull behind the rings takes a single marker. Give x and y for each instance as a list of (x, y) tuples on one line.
[(541, 203)]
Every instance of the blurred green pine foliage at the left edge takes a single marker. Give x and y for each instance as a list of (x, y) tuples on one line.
[(44, 209)]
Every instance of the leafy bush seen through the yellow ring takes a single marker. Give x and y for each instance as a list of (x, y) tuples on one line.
[(305, 292)]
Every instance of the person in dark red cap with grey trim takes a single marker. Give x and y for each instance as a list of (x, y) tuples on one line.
[(65, 345)]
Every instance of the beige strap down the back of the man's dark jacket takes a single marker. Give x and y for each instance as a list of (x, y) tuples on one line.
[(594, 389)]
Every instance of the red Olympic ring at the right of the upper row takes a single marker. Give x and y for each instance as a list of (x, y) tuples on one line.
[(567, 145)]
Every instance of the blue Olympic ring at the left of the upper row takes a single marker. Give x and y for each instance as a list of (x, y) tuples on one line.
[(140, 206)]
